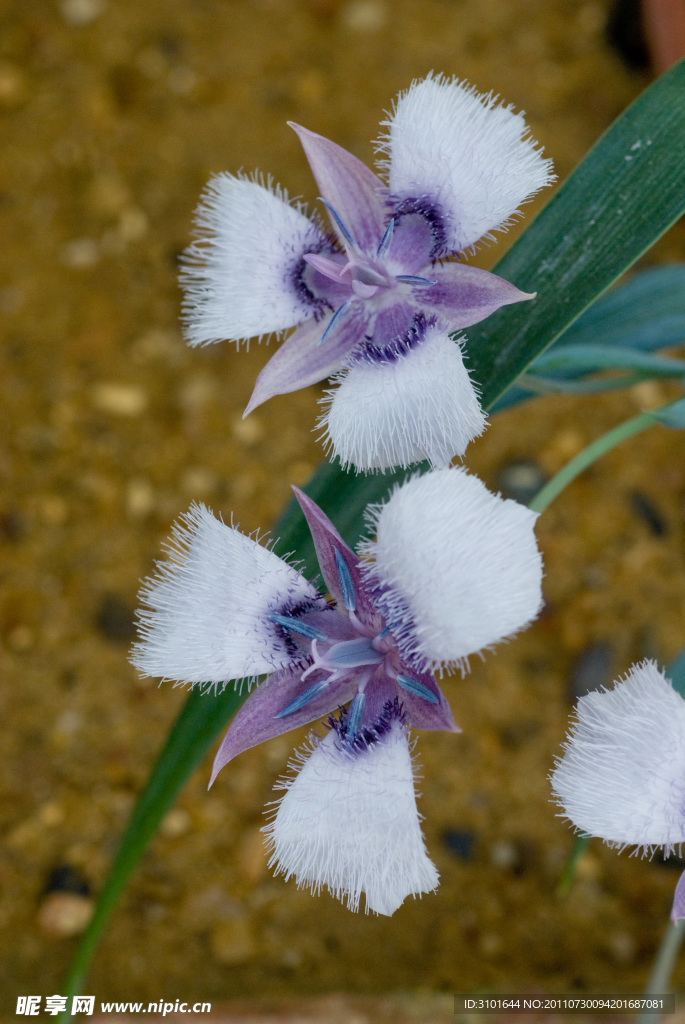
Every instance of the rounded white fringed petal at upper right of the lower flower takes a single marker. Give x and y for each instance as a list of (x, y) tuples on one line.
[(456, 569)]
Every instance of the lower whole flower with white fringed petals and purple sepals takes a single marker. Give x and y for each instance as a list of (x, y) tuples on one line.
[(451, 571)]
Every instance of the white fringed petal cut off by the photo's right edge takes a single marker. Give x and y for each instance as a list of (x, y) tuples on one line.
[(623, 775)]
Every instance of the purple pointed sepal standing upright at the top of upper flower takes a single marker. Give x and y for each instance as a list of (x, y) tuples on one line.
[(349, 187)]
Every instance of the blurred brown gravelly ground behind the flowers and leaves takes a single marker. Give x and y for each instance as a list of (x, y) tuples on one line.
[(113, 116)]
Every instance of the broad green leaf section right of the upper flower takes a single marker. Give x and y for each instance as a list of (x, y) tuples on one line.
[(627, 192)]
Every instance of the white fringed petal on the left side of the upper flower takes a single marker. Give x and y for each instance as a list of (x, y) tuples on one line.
[(240, 277)]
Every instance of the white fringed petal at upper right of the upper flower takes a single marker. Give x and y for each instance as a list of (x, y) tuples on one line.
[(466, 154)]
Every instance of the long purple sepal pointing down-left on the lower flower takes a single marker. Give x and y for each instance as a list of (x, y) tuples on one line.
[(258, 721)]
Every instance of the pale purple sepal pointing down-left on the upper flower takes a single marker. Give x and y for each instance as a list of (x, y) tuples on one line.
[(303, 361)]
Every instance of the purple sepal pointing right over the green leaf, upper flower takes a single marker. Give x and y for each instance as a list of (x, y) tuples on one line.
[(465, 295)]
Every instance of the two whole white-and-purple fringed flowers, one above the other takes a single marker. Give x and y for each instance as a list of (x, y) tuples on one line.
[(378, 302)]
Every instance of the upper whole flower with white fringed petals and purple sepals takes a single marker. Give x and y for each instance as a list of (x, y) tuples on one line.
[(375, 298)]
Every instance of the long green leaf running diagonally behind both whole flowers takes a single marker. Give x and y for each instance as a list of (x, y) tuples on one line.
[(621, 199)]
